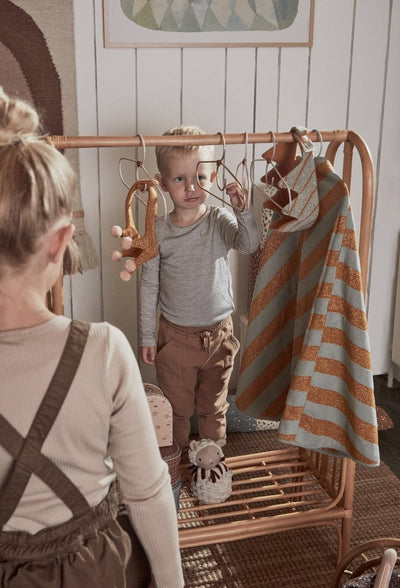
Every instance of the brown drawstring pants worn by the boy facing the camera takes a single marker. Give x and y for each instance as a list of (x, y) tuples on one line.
[(194, 365)]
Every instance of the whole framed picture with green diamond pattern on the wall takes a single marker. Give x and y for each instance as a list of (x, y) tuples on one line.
[(208, 23)]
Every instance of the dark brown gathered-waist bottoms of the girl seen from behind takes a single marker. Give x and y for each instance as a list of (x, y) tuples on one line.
[(89, 551)]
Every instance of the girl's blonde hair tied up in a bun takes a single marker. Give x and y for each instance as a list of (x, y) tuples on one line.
[(37, 183)]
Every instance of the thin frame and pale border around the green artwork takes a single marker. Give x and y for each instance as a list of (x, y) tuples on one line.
[(121, 31)]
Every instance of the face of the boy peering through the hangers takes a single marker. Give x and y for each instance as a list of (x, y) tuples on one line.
[(179, 180)]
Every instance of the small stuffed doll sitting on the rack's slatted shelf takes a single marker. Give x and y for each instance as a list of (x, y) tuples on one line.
[(211, 479)]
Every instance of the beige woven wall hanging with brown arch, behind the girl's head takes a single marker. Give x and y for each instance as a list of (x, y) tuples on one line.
[(37, 63)]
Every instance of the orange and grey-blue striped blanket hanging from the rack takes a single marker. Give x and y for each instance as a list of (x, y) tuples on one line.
[(306, 358)]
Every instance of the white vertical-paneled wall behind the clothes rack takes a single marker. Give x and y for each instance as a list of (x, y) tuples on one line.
[(349, 78)]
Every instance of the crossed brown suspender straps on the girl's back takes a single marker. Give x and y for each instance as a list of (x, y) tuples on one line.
[(26, 451)]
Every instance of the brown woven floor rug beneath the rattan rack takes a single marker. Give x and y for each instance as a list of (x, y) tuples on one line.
[(304, 558)]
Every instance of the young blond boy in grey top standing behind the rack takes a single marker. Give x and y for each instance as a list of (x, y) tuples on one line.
[(191, 281)]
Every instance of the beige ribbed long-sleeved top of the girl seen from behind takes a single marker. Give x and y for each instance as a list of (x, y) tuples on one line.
[(105, 415)]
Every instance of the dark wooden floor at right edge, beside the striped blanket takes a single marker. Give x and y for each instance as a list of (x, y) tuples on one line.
[(389, 440)]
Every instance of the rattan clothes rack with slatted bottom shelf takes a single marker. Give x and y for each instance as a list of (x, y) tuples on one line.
[(276, 489)]
